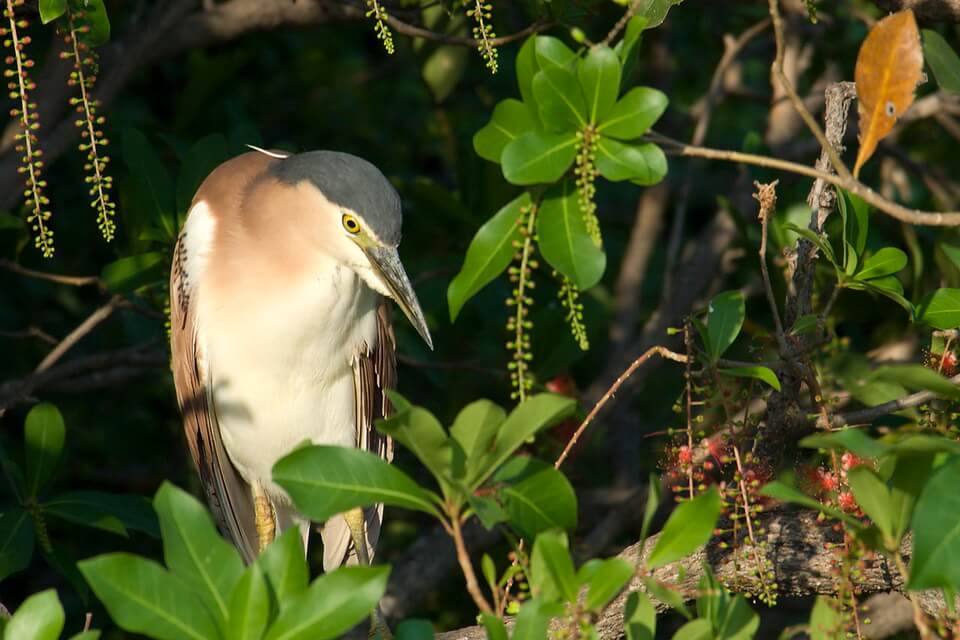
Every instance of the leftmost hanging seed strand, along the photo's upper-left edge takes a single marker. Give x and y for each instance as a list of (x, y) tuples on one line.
[(19, 85)]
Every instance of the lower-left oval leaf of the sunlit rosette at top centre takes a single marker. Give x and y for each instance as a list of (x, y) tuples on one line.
[(538, 157)]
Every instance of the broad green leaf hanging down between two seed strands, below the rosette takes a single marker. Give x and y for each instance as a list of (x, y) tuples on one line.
[(563, 238)]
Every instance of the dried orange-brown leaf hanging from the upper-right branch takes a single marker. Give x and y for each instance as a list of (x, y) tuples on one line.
[(889, 67)]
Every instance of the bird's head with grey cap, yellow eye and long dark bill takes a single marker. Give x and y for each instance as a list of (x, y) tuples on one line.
[(360, 220)]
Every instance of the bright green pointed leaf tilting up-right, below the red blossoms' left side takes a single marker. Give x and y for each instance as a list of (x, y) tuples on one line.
[(689, 526)]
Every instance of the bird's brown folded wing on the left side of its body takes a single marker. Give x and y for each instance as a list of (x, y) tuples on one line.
[(227, 493)]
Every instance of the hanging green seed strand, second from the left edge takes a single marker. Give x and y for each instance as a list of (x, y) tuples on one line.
[(84, 76)]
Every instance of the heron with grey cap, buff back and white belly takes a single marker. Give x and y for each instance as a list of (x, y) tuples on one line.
[(281, 333)]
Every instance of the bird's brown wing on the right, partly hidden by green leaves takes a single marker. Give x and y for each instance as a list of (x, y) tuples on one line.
[(373, 373)]
